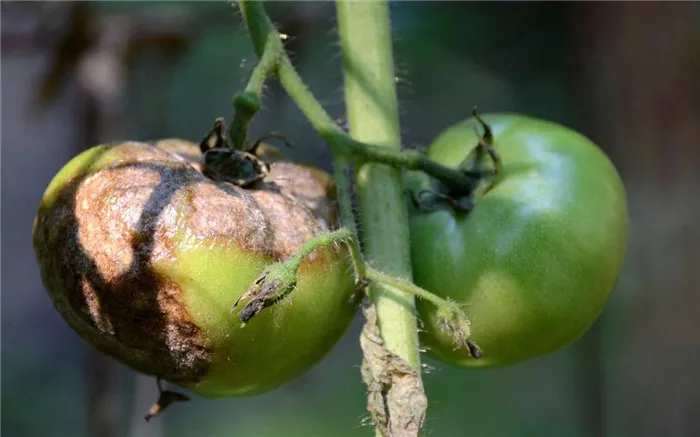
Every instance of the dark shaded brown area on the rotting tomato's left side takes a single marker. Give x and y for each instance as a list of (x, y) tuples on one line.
[(136, 316)]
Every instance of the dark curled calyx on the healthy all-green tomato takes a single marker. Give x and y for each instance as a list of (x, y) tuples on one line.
[(483, 166)]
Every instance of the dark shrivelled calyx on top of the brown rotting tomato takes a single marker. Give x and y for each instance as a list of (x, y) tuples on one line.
[(224, 163)]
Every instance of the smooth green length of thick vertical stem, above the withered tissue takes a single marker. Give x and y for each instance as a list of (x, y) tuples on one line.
[(370, 95)]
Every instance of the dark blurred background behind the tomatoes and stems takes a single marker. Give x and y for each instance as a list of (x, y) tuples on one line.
[(624, 72)]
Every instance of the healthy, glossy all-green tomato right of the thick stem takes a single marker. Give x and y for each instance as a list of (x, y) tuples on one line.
[(537, 258)]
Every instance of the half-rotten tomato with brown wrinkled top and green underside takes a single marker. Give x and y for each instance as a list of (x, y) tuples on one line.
[(144, 256)]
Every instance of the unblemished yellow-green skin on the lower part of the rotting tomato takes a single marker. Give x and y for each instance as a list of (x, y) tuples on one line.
[(279, 344)]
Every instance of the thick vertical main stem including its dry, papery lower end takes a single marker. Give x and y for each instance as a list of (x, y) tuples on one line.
[(372, 113)]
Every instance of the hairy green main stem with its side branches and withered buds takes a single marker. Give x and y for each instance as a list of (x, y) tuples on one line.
[(375, 148)]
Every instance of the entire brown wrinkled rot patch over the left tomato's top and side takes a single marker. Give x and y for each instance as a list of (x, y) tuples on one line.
[(98, 243)]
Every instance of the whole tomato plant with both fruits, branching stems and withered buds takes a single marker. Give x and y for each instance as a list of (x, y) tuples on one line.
[(144, 249)]
